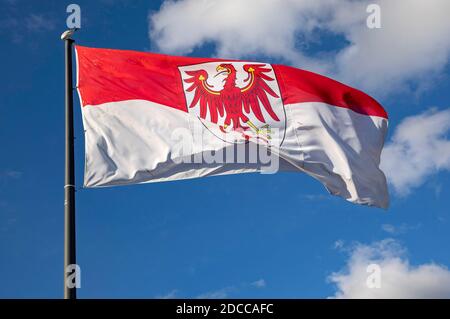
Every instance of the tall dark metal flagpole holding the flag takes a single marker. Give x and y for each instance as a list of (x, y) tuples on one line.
[(69, 184)]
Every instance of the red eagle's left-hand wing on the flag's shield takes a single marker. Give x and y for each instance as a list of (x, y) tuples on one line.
[(204, 93)]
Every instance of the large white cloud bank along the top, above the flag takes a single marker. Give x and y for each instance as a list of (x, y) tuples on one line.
[(412, 44)]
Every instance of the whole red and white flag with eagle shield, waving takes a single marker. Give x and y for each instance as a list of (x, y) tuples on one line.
[(134, 104)]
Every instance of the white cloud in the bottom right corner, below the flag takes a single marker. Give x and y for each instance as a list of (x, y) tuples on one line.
[(398, 278)]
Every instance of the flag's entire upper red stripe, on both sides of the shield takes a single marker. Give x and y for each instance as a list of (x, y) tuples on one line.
[(106, 75)]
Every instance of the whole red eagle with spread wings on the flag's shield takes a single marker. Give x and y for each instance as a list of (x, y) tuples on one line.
[(234, 102)]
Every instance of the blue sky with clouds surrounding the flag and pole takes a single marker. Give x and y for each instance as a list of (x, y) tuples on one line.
[(236, 236)]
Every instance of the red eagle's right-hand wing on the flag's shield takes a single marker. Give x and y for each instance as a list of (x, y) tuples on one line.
[(256, 90)]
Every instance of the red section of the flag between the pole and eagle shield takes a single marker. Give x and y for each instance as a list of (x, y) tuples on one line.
[(106, 75)]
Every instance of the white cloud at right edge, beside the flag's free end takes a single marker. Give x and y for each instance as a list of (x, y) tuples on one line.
[(419, 147)]
